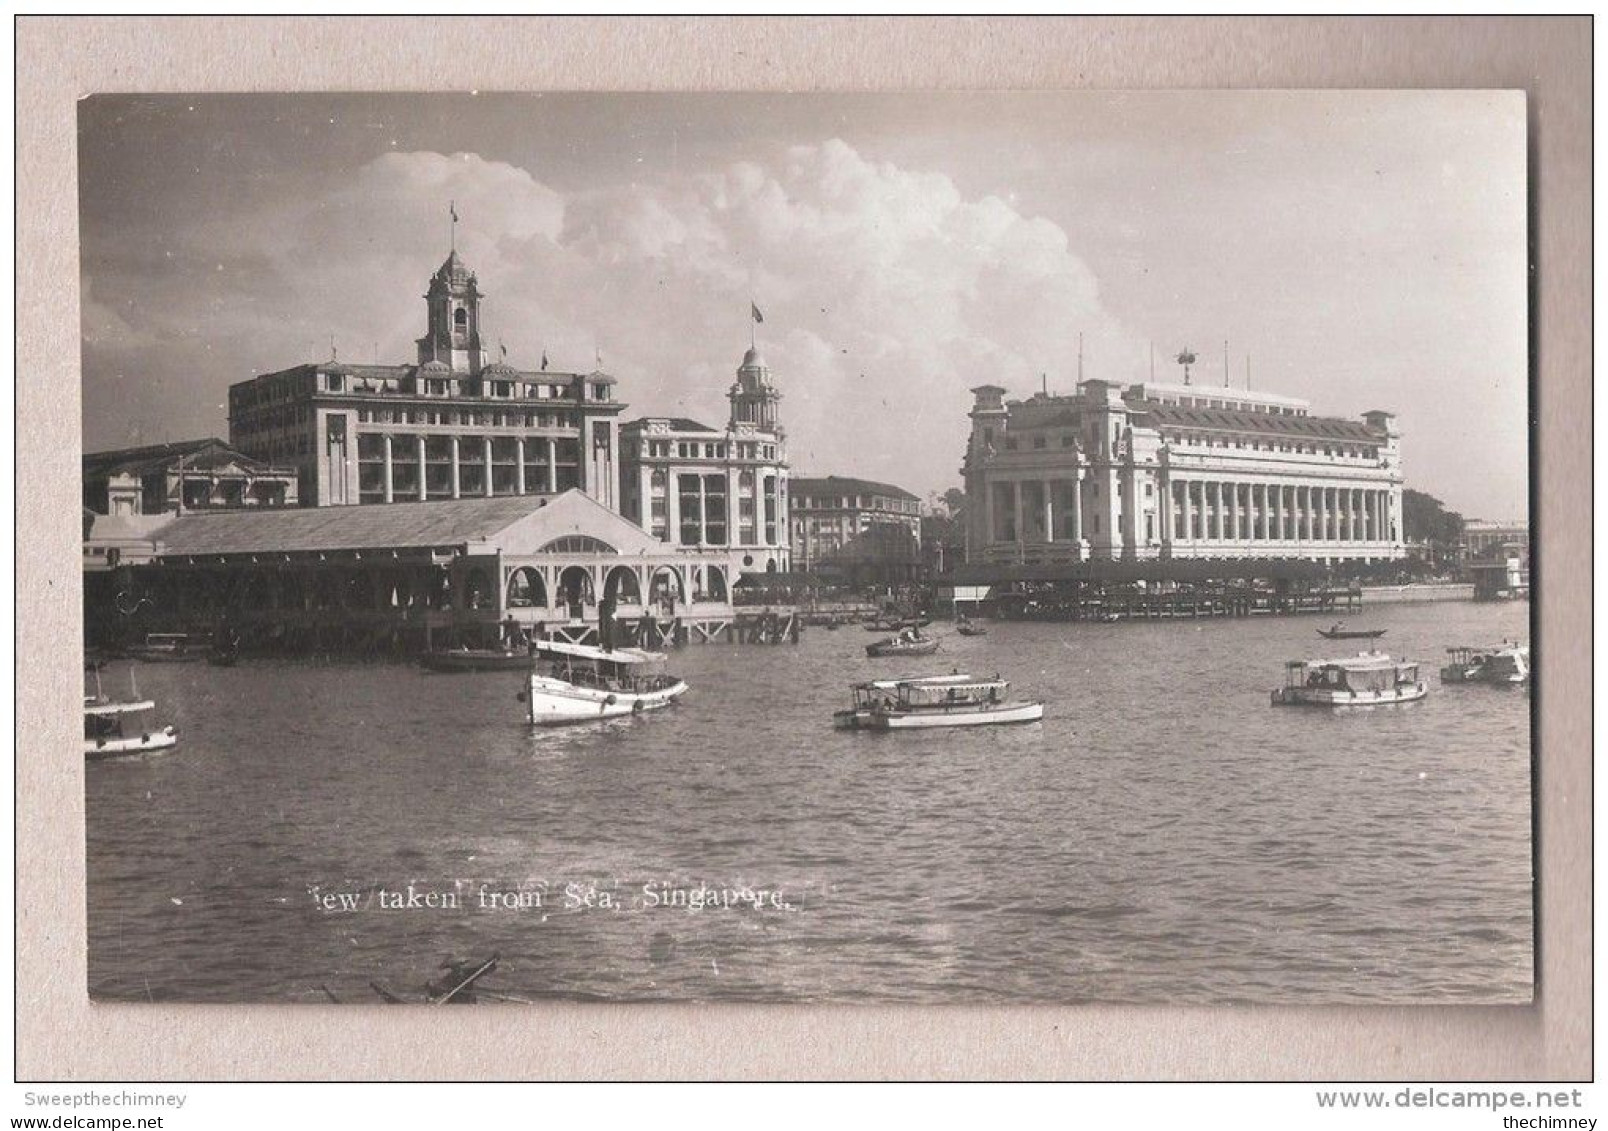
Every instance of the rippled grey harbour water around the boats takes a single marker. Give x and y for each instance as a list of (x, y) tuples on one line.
[(1165, 836)]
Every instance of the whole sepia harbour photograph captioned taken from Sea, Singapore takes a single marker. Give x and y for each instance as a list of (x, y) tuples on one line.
[(937, 549)]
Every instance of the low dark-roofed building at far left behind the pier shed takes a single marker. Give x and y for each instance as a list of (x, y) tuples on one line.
[(187, 475)]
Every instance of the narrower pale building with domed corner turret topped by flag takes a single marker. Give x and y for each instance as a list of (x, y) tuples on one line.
[(700, 487)]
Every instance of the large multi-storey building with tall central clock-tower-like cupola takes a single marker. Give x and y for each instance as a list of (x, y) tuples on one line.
[(453, 426)]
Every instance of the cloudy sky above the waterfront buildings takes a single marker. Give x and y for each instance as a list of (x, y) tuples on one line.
[(1361, 250)]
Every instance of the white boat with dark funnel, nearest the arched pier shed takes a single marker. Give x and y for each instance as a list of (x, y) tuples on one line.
[(578, 683)]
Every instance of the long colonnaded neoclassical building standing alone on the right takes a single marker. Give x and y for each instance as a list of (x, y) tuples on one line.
[(1178, 472)]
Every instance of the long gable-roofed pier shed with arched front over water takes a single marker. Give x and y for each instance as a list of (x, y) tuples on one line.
[(414, 575)]
